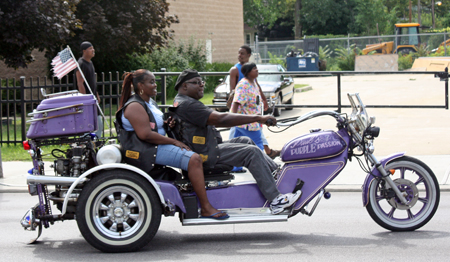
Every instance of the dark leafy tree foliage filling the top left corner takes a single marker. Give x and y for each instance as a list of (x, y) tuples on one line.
[(116, 28)]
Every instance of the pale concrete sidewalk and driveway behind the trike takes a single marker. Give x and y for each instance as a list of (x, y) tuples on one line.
[(421, 133)]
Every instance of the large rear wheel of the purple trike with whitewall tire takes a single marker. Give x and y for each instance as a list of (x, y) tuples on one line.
[(127, 224)]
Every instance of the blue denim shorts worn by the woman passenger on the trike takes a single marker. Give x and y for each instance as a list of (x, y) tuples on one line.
[(170, 155)]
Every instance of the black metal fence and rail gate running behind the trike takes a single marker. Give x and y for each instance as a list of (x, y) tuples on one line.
[(18, 98)]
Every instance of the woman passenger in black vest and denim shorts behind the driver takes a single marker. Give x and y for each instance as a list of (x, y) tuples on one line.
[(170, 152)]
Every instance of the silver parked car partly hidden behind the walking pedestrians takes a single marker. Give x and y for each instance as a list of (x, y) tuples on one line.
[(274, 86)]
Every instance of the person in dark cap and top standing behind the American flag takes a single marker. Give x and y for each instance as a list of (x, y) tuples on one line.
[(87, 66)]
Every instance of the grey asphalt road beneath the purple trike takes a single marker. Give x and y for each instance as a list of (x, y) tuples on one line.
[(339, 230)]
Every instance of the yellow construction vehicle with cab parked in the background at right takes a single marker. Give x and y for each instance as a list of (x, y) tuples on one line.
[(406, 41)]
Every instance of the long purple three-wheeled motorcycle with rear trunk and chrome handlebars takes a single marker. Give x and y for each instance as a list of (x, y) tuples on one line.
[(118, 207)]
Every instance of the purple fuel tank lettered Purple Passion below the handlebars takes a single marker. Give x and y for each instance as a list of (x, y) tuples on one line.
[(316, 145)]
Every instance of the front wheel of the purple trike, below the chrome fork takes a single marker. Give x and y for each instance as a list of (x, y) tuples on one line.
[(414, 178)]
